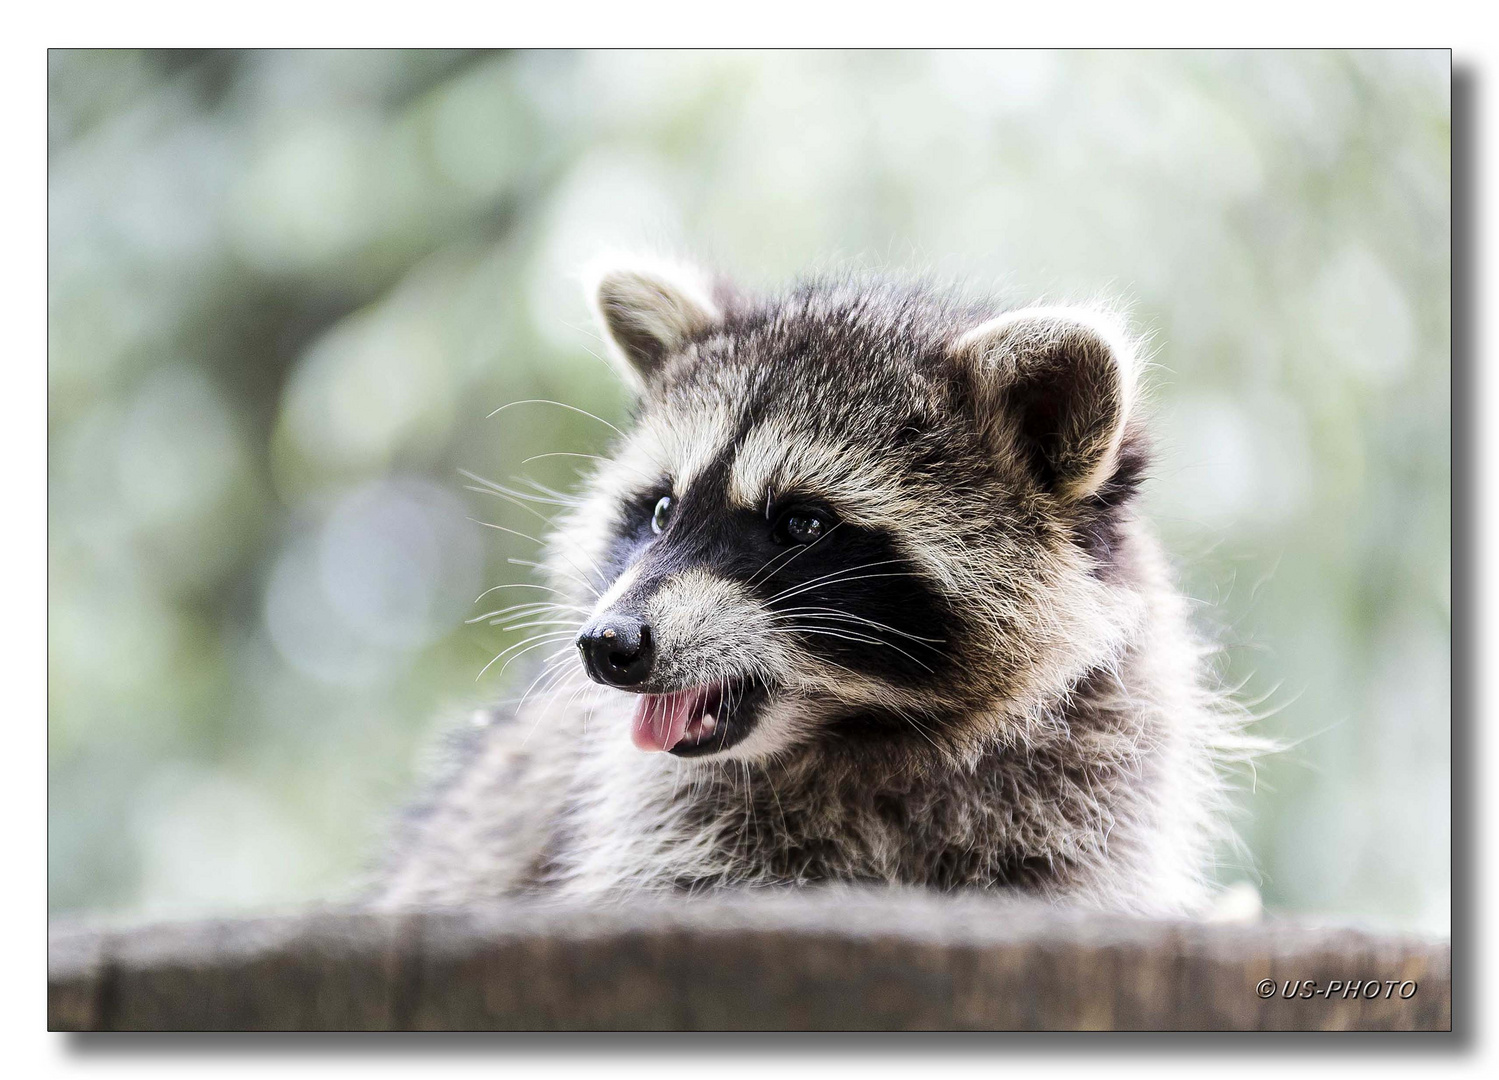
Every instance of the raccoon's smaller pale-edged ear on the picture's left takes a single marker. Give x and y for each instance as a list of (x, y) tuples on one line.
[(650, 310)]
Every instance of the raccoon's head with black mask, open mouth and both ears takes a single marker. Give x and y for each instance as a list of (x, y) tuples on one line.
[(852, 515)]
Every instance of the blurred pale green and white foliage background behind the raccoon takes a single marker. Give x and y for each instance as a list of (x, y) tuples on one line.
[(287, 290)]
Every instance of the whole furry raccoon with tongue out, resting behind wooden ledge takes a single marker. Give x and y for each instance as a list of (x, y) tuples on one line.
[(863, 596)]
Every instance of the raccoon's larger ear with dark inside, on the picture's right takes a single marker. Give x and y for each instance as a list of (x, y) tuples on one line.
[(1058, 386)]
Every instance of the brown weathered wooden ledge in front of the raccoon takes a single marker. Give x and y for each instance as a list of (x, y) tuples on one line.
[(789, 961)]
